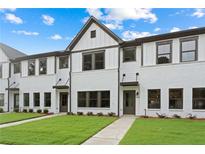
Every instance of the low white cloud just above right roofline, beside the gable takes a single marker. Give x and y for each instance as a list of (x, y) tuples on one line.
[(129, 35)]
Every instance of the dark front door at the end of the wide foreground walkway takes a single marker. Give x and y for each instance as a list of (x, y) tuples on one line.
[(129, 102)]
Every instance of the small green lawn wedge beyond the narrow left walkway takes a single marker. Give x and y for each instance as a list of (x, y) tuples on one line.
[(11, 117)]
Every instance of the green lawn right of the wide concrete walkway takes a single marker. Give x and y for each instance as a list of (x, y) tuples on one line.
[(165, 131)]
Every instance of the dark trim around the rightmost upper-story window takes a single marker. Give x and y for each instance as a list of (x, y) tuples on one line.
[(195, 38)]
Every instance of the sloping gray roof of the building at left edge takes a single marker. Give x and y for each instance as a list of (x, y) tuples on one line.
[(10, 52)]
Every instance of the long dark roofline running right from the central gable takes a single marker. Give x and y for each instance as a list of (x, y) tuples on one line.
[(171, 35)]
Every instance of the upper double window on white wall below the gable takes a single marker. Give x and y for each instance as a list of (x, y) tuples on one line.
[(94, 61)]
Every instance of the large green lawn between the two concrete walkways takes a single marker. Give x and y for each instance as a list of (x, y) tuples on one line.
[(57, 130)]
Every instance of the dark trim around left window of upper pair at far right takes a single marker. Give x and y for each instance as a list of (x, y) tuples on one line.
[(170, 42)]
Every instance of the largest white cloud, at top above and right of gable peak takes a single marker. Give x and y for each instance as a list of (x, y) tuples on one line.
[(114, 17)]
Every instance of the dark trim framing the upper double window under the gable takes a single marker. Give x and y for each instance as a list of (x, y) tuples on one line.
[(93, 59)]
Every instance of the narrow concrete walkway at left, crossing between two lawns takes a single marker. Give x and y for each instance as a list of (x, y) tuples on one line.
[(30, 120)]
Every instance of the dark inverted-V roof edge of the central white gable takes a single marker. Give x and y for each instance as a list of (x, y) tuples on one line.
[(84, 29)]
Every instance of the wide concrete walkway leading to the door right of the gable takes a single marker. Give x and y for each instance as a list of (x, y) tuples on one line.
[(112, 134)]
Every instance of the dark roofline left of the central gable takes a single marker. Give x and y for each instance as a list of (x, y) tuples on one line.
[(41, 55)]
